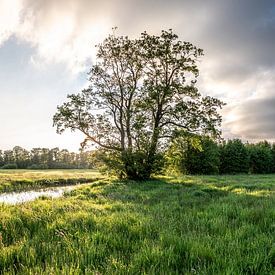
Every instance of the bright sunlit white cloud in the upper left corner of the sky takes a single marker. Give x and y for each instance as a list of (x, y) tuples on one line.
[(59, 31)]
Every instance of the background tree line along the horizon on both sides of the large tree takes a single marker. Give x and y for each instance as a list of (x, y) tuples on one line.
[(186, 155)]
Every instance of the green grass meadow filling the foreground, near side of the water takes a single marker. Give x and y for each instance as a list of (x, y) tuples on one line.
[(185, 225)]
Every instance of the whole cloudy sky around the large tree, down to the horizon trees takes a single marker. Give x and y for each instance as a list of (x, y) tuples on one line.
[(48, 46)]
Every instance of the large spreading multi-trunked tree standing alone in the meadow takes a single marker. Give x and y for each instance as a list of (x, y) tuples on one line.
[(141, 92)]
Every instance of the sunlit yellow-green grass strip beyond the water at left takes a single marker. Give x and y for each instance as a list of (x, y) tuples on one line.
[(18, 180)]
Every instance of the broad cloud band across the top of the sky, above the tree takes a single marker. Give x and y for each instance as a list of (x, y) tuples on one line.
[(233, 33)]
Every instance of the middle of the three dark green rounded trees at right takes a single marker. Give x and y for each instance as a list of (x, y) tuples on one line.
[(234, 157)]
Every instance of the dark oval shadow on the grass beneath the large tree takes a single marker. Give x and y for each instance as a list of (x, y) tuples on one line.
[(160, 191)]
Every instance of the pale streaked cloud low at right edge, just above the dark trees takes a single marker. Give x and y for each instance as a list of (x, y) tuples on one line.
[(253, 118)]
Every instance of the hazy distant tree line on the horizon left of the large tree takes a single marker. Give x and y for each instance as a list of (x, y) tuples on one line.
[(45, 158)]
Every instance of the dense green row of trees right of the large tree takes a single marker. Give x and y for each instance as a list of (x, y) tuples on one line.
[(202, 155)]
